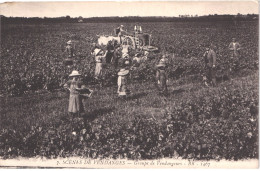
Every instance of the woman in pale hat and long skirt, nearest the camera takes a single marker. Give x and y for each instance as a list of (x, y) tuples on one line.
[(75, 85)]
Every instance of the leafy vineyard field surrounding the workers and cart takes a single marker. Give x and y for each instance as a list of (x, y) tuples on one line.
[(192, 122)]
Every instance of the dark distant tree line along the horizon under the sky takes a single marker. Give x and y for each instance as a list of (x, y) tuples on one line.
[(181, 18)]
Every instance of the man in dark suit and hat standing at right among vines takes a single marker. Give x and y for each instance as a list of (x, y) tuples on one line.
[(211, 64)]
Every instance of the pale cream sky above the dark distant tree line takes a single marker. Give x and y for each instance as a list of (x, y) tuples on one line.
[(126, 8)]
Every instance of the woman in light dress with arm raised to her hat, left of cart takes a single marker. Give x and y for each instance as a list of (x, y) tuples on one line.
[(99, 55)]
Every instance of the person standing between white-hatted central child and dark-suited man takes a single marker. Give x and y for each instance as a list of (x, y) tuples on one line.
[(161, 76)]
